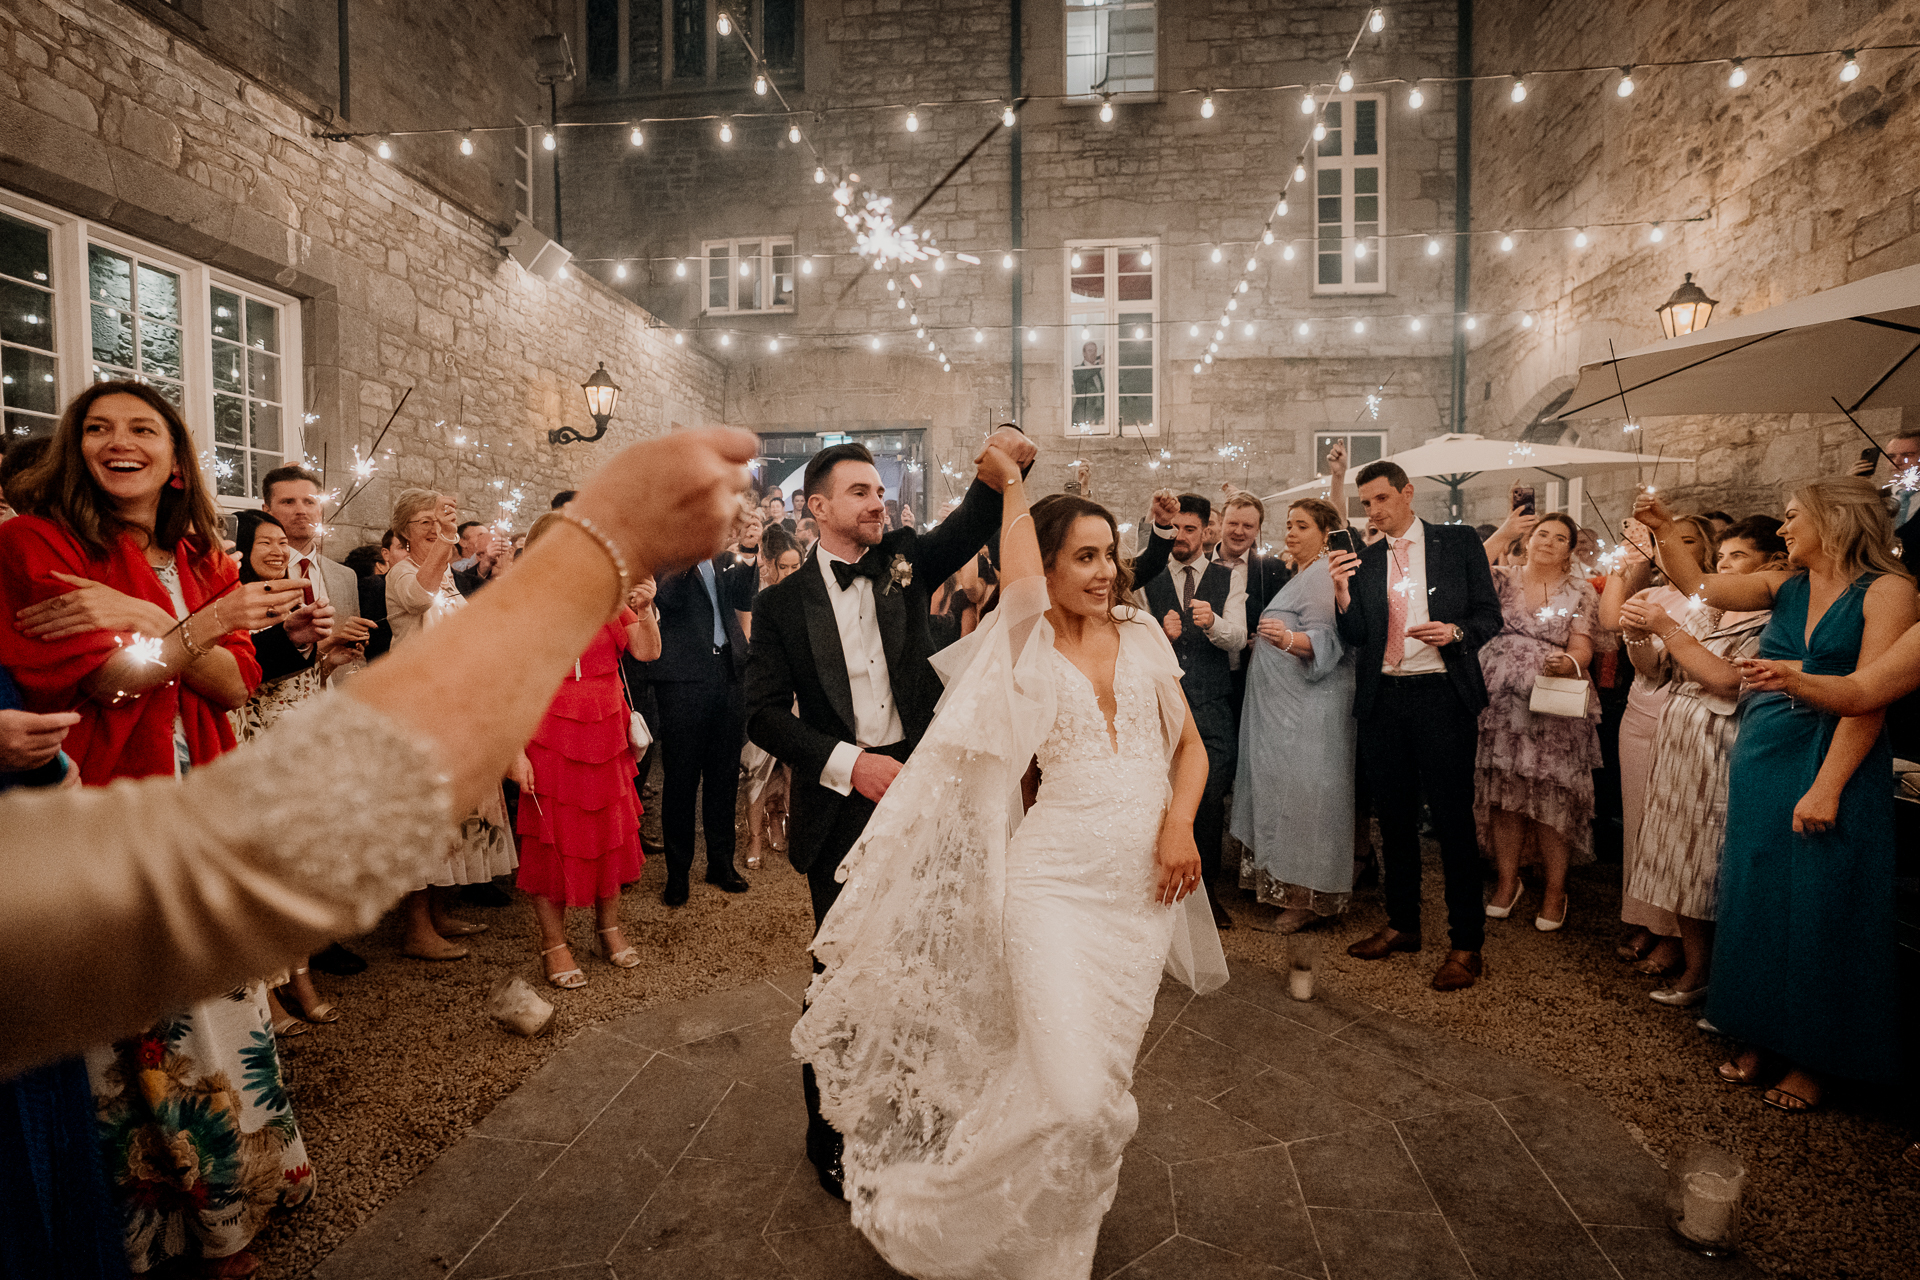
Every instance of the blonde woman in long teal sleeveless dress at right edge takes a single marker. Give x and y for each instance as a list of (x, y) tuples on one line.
[(1804, 959)]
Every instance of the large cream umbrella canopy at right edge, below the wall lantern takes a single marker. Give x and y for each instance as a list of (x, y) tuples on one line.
[(1856, 344)]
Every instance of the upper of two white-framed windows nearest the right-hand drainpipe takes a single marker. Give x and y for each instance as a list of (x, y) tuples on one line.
[(1351, 187)]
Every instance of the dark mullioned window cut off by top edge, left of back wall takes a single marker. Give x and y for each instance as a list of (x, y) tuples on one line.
[(652, 47)]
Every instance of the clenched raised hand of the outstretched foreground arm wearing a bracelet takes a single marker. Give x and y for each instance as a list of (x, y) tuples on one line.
[(671, 502)]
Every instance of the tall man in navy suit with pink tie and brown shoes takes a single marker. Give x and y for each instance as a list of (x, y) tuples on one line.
[(1416, 607)]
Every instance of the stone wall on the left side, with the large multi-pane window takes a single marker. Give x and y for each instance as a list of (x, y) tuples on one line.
[(116, 118)]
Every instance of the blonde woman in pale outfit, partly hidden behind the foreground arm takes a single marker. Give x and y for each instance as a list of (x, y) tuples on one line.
[(420, 592)]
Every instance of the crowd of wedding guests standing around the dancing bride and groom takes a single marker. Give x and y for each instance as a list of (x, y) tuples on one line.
[(1470, 682)]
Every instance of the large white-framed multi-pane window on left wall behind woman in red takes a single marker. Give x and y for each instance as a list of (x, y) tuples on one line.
[(212, 344)]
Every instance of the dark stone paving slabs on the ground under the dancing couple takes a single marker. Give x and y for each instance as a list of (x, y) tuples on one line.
[(1278, 1141)]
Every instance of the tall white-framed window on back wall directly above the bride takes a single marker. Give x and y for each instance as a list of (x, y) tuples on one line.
[(1111, 339)]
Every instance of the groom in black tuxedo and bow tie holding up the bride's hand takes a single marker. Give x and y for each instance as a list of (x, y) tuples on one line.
[(846, 640)]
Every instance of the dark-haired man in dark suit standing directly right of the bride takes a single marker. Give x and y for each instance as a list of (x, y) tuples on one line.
[(1197, 605)]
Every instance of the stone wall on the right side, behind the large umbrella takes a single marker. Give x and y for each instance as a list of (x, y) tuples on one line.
[(1802, 181)]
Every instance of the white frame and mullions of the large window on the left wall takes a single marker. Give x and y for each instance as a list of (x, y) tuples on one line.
[(74, 335)]
